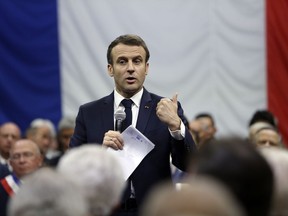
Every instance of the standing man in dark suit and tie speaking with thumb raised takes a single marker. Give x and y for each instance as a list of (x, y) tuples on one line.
[(161, 120)]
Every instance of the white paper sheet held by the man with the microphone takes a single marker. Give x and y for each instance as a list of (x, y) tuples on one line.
[(136, 147)]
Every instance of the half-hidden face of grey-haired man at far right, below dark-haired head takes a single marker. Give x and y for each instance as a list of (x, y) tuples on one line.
[(267, 138)]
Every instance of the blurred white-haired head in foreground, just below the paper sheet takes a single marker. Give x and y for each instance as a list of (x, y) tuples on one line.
[(99, 173)]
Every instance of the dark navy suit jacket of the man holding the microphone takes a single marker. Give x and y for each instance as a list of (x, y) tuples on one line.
[(96, 118)]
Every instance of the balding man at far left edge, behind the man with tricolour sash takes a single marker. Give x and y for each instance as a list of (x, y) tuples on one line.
[(9, 134)]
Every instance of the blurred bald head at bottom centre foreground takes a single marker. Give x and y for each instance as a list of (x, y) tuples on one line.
[(200, 196)]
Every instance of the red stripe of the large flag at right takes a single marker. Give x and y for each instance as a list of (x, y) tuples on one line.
[(277, 62)]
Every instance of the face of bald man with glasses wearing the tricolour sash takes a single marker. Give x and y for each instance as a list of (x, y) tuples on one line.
[(25, 158)]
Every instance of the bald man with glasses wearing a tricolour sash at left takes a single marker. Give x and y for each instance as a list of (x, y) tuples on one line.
[(25, 158)]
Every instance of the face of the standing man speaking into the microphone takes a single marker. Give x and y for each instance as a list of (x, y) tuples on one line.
[(129, 69)]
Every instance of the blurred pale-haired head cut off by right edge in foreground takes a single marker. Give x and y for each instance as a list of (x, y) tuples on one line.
[(278, 160)]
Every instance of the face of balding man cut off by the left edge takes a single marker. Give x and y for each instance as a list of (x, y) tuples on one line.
[(9, 134)]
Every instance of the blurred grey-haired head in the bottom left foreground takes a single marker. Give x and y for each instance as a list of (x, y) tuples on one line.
[(48, 193)]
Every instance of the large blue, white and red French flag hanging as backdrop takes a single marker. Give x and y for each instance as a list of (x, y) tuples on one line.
[(229, 58)]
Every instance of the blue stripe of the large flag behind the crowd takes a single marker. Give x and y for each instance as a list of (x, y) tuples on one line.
[(29, 61)]
